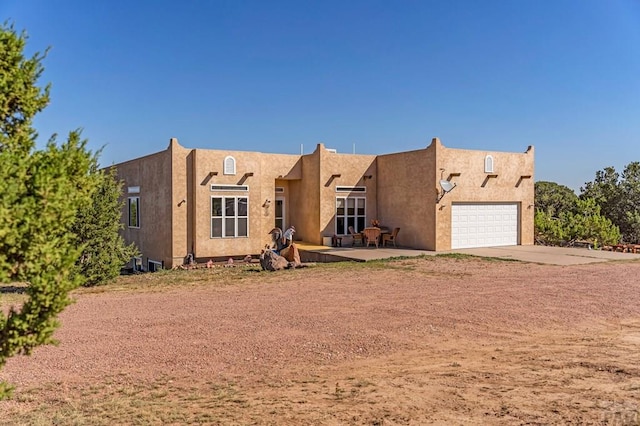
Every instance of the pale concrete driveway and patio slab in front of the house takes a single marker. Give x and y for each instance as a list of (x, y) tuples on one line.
[(535, 254)]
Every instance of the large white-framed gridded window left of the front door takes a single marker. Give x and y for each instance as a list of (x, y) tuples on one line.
[(229, 217)]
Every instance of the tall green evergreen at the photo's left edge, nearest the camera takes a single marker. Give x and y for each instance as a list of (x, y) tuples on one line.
[(41, 192)]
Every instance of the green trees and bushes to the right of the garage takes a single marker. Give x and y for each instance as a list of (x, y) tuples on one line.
[(607, 210)]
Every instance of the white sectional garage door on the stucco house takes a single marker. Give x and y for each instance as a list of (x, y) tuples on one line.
[(484, 225)]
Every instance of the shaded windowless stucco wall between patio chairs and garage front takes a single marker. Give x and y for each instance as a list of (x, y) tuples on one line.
[(406, 196)]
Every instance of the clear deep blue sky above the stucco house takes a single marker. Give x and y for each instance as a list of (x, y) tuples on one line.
[(387, 76)]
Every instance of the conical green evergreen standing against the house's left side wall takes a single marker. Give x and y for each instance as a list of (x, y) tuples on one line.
[(96, 229)]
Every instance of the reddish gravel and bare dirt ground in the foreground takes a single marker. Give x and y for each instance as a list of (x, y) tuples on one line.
[(418, 341)]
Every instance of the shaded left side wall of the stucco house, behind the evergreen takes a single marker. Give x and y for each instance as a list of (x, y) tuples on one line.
[(153, 175)]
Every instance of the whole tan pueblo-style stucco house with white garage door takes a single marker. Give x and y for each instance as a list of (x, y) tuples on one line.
[(213, 203)]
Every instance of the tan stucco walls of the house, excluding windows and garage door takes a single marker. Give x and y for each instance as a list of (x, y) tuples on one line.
[(401, 191)]
